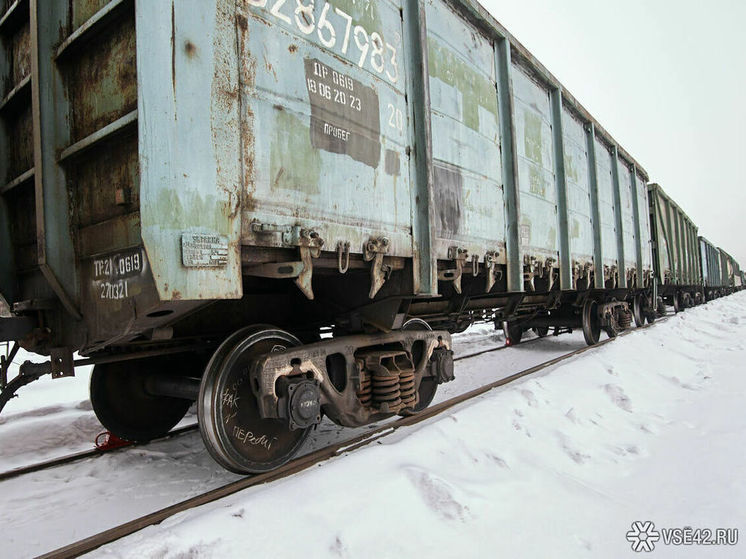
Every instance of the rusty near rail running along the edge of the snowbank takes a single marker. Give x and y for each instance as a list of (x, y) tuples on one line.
[(298, 465)]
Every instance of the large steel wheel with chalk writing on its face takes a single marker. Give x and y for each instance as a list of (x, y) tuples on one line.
[(233, 431)]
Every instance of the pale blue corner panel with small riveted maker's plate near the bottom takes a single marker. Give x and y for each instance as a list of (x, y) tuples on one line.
[(189, 141)]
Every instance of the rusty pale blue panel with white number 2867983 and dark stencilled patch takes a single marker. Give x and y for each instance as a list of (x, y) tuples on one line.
[(325, 125)]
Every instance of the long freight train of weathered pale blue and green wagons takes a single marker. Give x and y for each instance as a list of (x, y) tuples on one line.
[(282, 209)]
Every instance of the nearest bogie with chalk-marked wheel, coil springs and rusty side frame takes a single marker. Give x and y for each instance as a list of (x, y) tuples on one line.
[(263, 391)]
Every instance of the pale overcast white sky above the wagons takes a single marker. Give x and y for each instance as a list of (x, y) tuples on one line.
[(667, 78)]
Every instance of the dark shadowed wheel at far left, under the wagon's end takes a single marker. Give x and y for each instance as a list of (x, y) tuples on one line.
[(125, 407)]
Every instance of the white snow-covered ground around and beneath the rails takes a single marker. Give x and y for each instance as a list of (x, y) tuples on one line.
[(649, 428)]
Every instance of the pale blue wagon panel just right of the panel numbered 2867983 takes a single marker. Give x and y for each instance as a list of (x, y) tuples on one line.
[(467, 170)]
